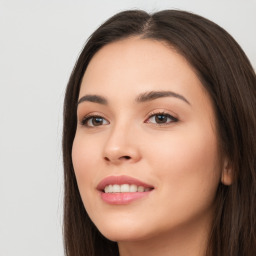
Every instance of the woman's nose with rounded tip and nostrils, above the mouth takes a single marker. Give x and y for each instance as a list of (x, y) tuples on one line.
[(121, 147)]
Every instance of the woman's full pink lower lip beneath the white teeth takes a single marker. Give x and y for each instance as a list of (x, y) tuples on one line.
[(123, 198)]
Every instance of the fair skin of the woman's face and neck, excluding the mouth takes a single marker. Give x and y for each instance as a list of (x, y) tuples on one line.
[(169, 142)]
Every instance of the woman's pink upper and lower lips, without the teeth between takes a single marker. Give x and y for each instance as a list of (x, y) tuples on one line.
[(122, 198)]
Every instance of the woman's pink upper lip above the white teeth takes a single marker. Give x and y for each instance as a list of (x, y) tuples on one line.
[(119, 180)]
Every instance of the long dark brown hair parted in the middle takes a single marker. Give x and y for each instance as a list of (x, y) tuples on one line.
[(227, 75)]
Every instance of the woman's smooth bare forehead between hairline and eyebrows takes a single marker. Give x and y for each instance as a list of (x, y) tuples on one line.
[(138, 65)]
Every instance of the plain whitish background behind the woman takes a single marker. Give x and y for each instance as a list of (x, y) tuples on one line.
[(39, 44)]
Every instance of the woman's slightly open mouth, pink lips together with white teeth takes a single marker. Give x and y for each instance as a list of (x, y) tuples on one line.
[(122, 189)]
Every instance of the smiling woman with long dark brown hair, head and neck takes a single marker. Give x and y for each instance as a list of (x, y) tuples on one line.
[(158, 142)]
